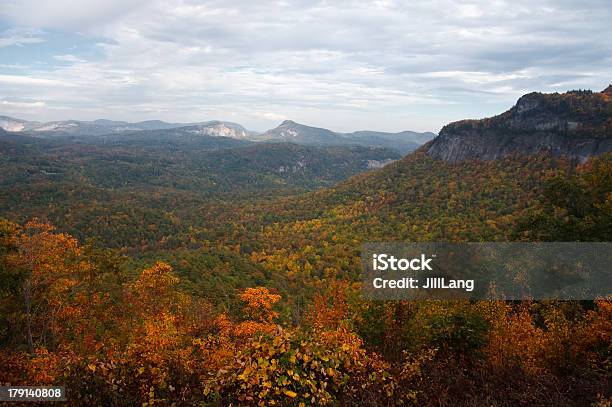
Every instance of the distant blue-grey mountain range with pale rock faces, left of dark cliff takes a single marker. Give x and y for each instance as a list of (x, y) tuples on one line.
[(287, 131)]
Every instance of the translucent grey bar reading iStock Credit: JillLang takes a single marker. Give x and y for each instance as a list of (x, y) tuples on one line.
[(494, 271)]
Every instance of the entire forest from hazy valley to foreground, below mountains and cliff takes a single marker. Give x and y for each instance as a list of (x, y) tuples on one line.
[(213, 271)]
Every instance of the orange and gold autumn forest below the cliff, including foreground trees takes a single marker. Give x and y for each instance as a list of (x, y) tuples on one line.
[(192, 322)]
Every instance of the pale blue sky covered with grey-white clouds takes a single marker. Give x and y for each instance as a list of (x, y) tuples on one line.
[(344, 65)]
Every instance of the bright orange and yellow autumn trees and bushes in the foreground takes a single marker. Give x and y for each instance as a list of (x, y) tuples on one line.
[(149, 343)]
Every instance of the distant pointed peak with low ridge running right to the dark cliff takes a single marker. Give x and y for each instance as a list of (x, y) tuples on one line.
[(289, 130)]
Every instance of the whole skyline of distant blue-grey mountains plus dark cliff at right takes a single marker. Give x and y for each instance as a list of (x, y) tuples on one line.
[(575, 124)]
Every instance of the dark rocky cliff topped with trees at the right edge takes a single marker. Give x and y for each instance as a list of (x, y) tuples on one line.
[(575, 124)]
